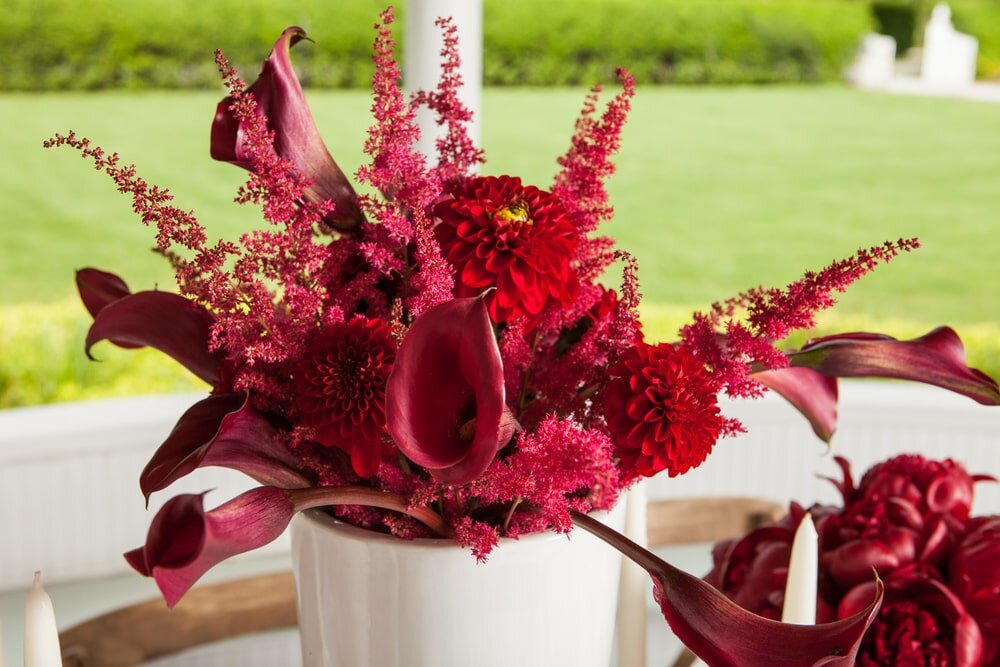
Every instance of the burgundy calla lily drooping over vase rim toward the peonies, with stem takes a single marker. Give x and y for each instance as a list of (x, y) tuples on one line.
[(724, 634)]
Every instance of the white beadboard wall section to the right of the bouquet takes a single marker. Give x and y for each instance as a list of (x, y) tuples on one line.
[(780, 458)]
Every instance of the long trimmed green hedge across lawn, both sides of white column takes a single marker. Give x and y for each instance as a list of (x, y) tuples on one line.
[(56, 45)]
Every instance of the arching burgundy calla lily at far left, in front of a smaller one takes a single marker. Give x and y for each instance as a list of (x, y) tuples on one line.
[(168, 322)]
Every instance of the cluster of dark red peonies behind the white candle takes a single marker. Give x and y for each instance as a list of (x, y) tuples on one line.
[(908, 520)]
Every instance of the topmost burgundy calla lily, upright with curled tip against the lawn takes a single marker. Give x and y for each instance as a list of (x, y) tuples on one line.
[(280, 98)]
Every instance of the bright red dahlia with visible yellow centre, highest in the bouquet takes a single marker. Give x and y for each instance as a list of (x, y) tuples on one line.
[(517, 238)]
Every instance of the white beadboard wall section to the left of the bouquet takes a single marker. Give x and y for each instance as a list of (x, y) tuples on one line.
[(70, 503)]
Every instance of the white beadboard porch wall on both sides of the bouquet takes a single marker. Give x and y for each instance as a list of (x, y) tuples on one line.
[(70, 502)]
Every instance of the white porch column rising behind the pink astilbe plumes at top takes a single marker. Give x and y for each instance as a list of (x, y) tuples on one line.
[(422, 59)]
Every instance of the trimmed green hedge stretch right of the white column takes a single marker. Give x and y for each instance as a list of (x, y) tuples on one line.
[(674, 41)]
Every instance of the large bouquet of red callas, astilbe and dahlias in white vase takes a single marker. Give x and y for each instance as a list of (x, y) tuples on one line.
[(438, 358)]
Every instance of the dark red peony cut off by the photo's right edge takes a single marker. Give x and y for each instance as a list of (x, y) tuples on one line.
[(974, 574)]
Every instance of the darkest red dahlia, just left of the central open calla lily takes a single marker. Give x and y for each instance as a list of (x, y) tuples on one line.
[(340, 389)]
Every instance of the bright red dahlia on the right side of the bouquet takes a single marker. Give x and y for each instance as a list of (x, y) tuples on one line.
[(662, 410)]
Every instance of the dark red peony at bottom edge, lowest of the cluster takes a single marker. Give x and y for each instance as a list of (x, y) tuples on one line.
[(921, 623)]
